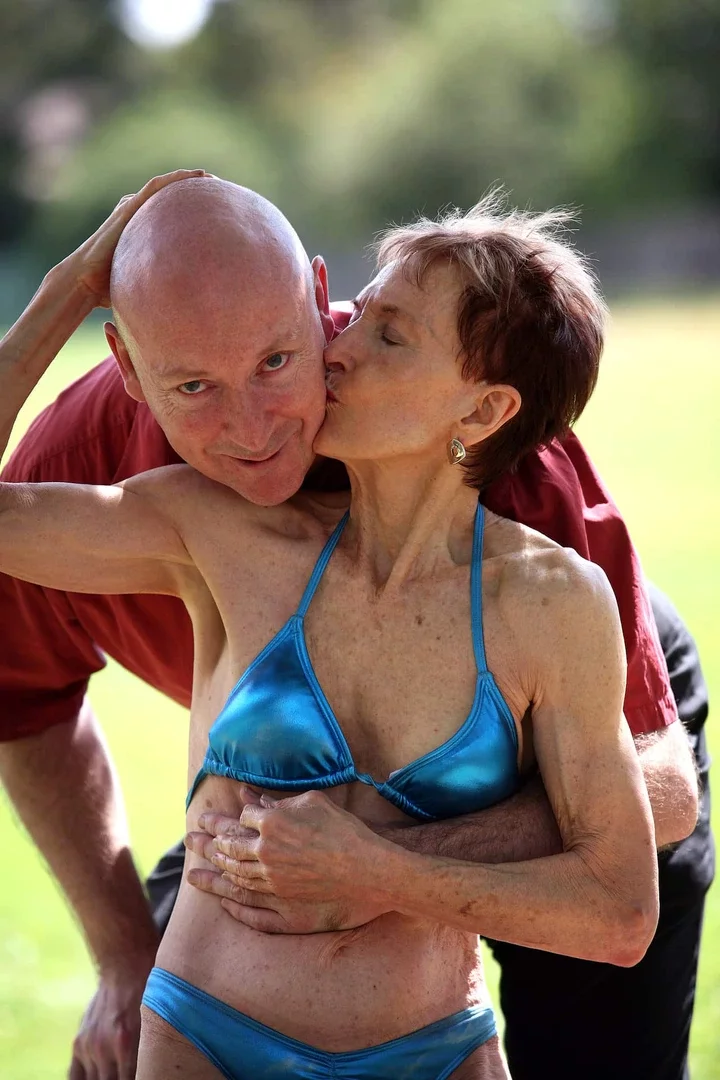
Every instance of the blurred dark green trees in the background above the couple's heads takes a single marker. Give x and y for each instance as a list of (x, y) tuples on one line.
[(352, 113)]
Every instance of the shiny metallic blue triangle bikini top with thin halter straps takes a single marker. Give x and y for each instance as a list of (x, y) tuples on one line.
[(277, 730)]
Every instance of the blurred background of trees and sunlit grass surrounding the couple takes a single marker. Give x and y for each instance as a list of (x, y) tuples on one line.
[(349, 115)]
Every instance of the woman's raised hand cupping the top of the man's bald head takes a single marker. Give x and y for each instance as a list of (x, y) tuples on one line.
[(91, 263)]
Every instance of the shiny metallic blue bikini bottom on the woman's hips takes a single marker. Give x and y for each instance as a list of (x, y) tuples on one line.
[(242, 1049)]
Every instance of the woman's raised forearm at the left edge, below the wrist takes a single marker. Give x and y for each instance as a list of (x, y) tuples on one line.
[(32, 344)]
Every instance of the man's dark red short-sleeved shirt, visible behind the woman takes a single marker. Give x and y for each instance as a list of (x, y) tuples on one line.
[(94, 434)]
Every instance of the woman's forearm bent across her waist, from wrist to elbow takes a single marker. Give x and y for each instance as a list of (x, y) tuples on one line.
[(563, 903)]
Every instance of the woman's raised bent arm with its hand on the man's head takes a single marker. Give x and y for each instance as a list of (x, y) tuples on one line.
[(65, 536)]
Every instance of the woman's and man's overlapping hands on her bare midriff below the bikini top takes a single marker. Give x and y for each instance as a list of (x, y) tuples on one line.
[(303, 850)]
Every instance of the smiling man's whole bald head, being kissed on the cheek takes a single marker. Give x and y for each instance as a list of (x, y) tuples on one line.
[(220, 328)]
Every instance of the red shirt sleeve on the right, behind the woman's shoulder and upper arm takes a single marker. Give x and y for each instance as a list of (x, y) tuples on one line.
[(559, 493)]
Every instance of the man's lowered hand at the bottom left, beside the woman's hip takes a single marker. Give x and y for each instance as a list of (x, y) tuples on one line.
[(106, 1045)]
